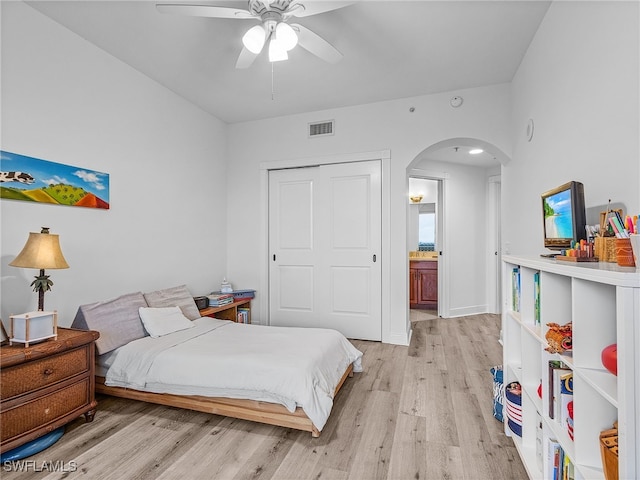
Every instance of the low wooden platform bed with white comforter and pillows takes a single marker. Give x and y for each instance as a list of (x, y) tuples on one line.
[(275, 375)]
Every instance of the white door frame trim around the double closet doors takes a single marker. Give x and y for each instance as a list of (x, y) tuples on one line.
[(263, 240)]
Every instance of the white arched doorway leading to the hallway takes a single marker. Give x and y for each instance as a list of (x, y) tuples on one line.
[(468, 222)]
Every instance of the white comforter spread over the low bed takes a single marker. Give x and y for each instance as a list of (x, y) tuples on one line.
[(219, 358)]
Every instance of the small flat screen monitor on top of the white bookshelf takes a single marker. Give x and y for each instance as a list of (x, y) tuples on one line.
[(564, 216)]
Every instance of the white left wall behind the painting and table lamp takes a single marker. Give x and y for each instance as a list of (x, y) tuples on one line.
[(67, 101)]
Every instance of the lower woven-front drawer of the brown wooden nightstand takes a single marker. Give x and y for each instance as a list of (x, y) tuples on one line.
[(43, 410)]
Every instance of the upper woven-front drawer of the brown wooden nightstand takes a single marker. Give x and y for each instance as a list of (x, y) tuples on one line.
[(31, 376)]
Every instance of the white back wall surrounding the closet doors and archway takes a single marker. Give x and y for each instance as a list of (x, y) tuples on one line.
[(365, 128)]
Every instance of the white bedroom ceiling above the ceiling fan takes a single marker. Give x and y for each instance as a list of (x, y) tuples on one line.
[(392, 49)]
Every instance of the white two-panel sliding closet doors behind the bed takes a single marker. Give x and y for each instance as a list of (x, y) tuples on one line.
[(324, 243)]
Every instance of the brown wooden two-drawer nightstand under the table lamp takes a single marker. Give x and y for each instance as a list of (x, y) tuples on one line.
[(46, 385)]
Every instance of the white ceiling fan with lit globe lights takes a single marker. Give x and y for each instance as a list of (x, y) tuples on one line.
[(274, 29)]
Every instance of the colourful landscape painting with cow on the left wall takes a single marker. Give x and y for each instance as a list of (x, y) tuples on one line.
[(34, 180)]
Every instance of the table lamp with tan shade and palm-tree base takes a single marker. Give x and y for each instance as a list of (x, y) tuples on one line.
[(41, 251)]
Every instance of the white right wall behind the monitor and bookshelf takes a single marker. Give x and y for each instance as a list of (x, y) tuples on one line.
[(579, 83)]
